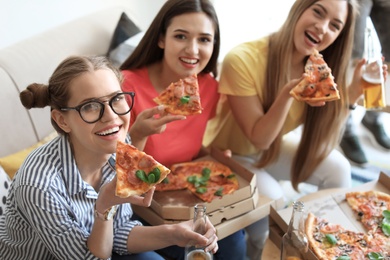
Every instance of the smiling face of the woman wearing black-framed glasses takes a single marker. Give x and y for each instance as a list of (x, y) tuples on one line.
[(99, 138)]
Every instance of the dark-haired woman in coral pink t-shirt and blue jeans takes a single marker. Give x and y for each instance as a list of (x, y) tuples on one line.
[(182, 40)]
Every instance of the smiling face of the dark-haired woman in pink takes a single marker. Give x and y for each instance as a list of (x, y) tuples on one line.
[(188, 44)]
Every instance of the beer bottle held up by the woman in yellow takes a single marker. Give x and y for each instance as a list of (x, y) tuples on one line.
[(372, 78)]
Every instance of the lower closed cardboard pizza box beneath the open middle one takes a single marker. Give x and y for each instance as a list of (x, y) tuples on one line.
[(226, 220)]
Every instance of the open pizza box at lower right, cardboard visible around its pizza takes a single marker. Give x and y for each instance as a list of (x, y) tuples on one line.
[(331, 206)]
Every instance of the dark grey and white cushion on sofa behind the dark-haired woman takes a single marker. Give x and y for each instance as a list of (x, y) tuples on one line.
[(125, 30)]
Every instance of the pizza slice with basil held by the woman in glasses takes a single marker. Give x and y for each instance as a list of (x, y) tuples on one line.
[(137, 172)]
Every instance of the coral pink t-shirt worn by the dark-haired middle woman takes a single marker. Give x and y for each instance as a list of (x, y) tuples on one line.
[(181, 140)]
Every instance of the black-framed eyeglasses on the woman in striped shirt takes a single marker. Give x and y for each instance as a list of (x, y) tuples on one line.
[(93, 110)]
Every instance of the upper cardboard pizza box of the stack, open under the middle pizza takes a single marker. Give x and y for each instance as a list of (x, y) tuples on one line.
[(179, 205)]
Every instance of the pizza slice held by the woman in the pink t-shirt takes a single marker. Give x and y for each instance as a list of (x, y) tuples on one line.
[(181, 97)]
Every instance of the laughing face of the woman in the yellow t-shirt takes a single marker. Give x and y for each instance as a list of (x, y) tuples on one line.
[(320, 25)]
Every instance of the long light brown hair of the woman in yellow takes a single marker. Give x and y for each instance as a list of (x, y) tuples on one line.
[(322, 125)]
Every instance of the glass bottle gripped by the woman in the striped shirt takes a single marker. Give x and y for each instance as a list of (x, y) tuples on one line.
[(192, 251)]
